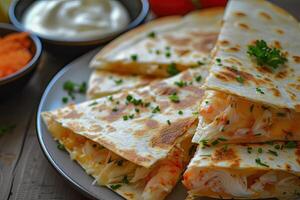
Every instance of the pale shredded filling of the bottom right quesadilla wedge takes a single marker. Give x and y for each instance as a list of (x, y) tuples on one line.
[(229, 183)]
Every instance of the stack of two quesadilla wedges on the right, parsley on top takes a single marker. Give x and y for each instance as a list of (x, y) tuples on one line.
[(248, 129)]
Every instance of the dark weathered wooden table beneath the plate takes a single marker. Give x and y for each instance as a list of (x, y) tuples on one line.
[(25, 174)]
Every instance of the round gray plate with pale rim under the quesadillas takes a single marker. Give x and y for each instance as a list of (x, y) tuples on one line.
[(77, 71)]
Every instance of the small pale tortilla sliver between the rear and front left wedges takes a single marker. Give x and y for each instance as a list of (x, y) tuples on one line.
[(103, 83)]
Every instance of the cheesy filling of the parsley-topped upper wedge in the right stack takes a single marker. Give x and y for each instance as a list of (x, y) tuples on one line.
[(228, 116)]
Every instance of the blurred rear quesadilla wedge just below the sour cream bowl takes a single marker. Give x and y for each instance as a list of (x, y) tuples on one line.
[(149, 49)]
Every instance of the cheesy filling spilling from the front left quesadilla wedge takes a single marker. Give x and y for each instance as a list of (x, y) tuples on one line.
[(109, 169)]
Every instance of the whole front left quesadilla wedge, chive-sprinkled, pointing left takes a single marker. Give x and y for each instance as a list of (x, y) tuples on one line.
[(135, 142)]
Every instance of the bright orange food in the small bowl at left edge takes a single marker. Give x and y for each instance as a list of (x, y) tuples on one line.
[(15, 53)]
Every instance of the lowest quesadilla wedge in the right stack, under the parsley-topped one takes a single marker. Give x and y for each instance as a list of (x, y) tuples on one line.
[(255, 171)]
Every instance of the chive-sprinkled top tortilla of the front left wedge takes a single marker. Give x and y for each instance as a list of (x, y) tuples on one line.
[(151, 132)]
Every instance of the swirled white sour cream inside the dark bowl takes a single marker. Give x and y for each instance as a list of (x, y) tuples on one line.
[(76, 19)]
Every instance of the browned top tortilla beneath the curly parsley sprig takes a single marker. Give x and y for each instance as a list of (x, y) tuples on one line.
[(244, 23)]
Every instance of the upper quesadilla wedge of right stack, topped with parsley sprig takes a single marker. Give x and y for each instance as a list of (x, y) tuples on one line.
[(254, 80)]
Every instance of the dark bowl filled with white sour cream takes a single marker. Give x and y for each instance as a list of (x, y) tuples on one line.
[(72, 27)]
